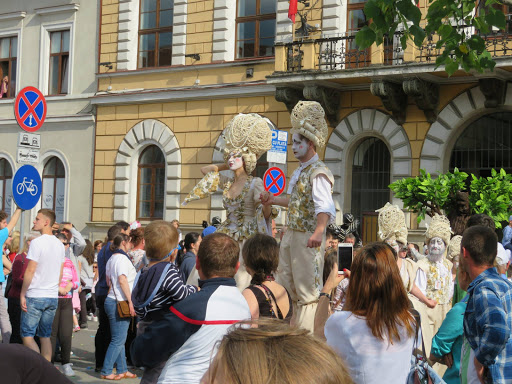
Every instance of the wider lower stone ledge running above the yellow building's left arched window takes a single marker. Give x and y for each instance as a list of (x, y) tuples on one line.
[(142, 96)]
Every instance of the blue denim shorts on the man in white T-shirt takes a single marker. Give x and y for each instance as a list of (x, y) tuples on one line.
[(39, 317)]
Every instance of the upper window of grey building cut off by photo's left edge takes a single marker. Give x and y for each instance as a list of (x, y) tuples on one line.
[(8, 66)]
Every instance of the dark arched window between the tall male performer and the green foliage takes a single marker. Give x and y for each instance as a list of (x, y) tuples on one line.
[(370, 180)]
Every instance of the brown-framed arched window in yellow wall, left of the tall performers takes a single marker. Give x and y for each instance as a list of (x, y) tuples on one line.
[(151, 184)]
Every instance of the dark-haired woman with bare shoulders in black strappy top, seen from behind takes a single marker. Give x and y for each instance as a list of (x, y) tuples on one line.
[(266, 298)]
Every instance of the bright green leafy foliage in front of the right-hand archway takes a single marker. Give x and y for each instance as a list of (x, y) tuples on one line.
[(426, 195)]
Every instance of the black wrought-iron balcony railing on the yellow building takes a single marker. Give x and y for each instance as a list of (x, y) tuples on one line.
[(341, 53)]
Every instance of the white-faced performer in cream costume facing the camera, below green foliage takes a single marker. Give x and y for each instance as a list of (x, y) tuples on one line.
[(434, 276)]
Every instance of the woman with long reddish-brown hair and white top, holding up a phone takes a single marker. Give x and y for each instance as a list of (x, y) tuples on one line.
[(375, 332)]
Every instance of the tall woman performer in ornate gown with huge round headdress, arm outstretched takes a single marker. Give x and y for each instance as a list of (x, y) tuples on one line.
[(247, 137)]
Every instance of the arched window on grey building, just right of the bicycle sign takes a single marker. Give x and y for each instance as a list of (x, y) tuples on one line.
[(54, 187)]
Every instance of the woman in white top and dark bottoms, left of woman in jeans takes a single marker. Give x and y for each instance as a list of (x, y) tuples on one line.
[(85, 262)]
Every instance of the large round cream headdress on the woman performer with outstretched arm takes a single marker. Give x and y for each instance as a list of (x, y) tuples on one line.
[(250, 135)]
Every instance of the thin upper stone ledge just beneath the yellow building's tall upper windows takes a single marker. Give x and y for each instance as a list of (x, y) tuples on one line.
[(184, 68)]
